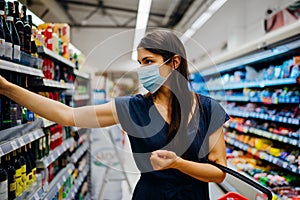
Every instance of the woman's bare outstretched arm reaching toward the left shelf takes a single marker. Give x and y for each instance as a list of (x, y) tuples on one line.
[(88, 116)]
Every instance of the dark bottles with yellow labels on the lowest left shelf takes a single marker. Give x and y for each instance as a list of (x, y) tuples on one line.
[(17, 172)]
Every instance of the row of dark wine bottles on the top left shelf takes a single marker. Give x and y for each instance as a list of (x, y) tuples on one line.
[(15, 31)]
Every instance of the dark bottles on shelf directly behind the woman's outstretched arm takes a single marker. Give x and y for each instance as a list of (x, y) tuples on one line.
[(11, 113)]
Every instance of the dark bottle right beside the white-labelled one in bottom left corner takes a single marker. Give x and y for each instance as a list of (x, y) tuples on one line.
[(11, 176)]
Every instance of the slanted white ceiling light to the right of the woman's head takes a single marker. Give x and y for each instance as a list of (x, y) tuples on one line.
[(216, 5)]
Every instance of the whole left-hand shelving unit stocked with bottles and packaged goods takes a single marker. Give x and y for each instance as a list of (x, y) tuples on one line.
[(40, 159)]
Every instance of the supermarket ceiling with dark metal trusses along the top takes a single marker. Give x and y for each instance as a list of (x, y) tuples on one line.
[(110, 13)]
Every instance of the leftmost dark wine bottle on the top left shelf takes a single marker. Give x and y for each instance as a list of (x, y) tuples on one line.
[(8, 37)]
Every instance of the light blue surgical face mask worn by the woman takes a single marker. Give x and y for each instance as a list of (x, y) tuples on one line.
[(150, 77)]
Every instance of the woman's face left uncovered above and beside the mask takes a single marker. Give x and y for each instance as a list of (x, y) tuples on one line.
[(146, 58)]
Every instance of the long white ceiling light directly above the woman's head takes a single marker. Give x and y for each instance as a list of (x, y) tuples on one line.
[(141, 24)]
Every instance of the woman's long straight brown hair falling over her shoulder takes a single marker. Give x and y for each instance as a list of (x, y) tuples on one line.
[(167, 44)]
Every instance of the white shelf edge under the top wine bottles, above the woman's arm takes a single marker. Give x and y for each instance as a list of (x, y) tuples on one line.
[(14, 67)]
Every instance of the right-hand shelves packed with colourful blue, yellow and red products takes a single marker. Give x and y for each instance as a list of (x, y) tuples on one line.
[(261, 95)]
